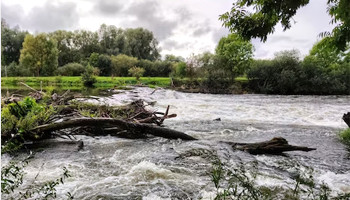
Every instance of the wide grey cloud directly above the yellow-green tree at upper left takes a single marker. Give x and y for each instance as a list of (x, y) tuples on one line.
[(51, 17)]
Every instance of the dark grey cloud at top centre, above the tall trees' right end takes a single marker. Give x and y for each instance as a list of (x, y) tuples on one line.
[(147, 15)]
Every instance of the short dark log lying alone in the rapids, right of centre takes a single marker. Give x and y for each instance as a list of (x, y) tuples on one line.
[(277, 145)]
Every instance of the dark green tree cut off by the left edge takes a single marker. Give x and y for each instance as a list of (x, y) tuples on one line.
[(11, 43)]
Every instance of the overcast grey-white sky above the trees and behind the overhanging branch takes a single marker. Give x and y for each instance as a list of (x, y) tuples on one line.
[(182, 27)]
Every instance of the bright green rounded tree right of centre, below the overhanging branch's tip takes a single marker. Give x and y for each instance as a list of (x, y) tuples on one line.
[(236, 52)]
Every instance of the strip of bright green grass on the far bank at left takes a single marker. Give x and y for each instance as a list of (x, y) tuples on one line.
[(75, 81)]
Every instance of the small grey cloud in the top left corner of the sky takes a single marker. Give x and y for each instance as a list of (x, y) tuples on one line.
[(13, 14)]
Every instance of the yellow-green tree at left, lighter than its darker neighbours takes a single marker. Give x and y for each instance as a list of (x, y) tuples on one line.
[(39, 55)]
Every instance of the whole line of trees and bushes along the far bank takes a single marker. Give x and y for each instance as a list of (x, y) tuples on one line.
[(112, 51)]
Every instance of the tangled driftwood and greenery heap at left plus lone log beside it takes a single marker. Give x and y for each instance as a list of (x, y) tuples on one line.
[(63, 116)]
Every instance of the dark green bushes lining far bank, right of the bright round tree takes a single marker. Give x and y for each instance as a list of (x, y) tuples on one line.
[(286, 74)]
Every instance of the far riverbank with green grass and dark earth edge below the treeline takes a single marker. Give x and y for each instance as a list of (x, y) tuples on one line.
[(74, 83)]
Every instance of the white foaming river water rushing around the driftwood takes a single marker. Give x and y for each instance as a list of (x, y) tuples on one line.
[(114, 168)]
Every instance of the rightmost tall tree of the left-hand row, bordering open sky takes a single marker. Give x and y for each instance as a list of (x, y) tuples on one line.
[(141, 44)]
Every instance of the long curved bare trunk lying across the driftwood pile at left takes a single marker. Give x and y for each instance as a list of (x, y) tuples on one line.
[(132, 128)]
